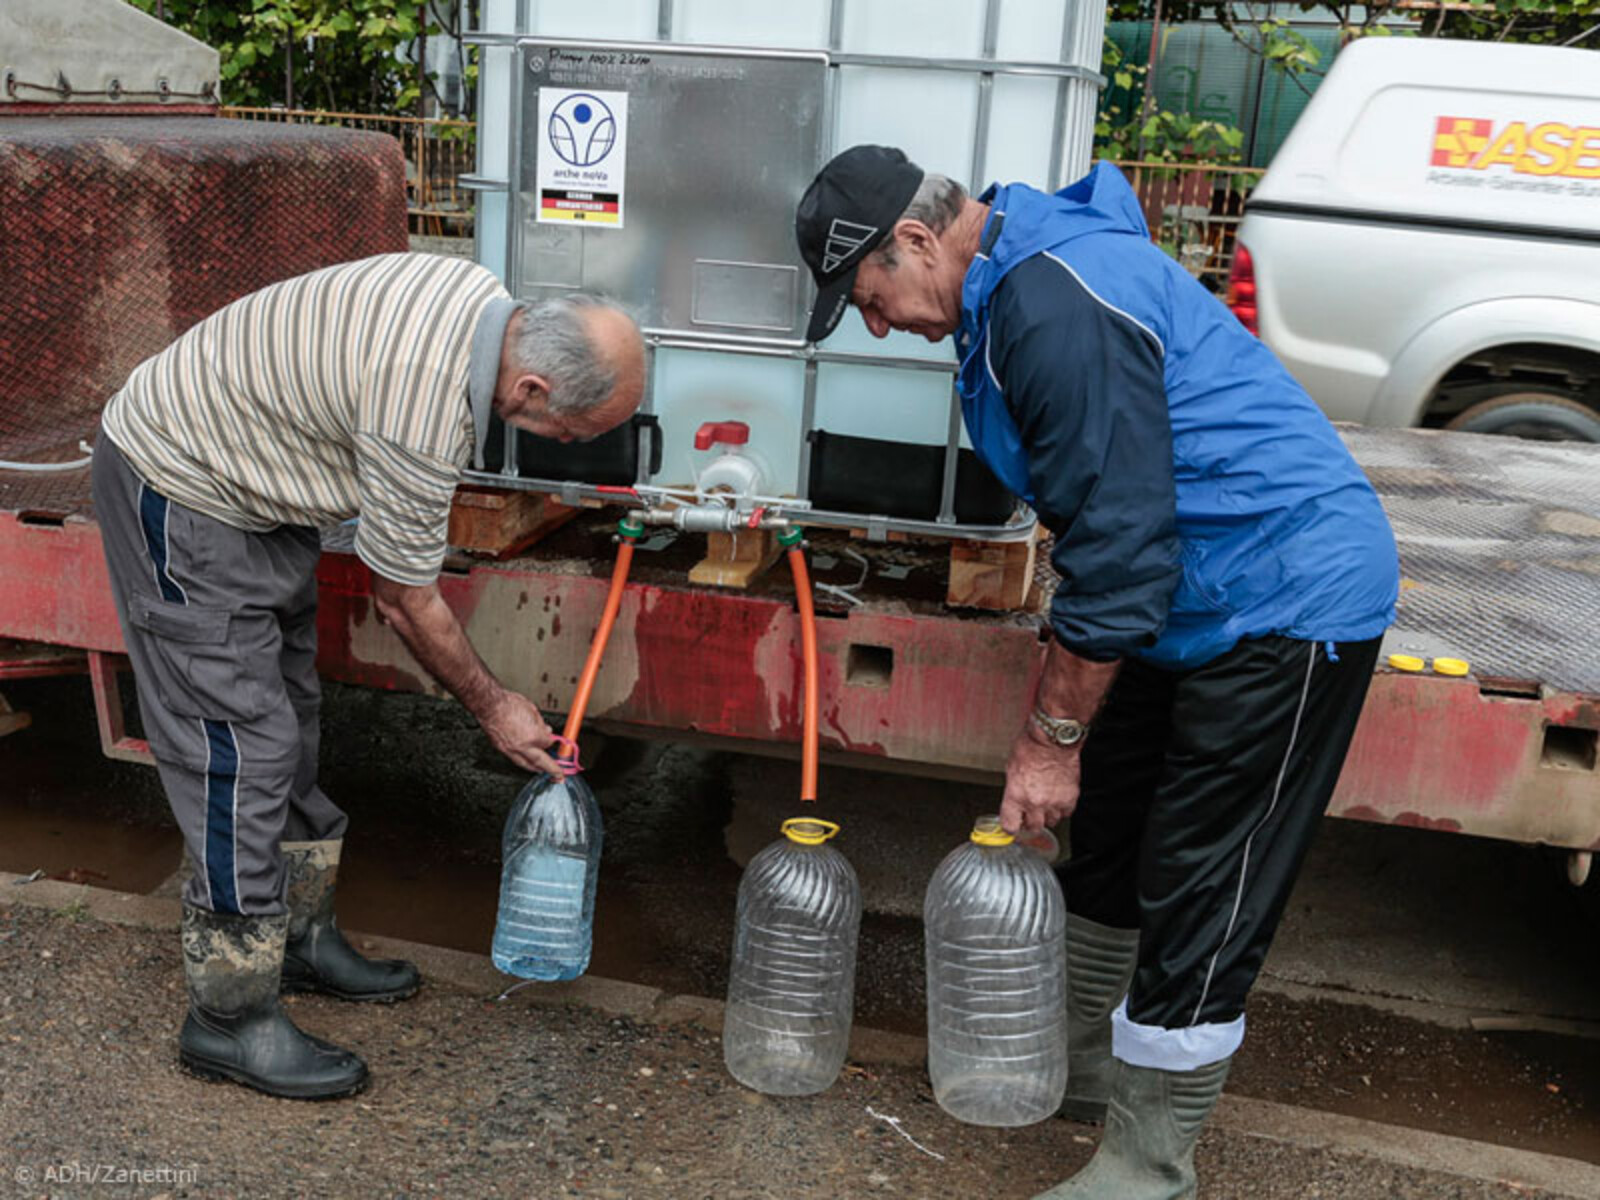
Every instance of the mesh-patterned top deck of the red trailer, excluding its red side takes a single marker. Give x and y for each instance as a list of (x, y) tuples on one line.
[(1500, 550)]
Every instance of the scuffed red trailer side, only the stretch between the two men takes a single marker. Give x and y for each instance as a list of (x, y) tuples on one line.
[(897, 684)]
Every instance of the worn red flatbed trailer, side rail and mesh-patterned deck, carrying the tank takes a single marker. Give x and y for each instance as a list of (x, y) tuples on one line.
[(1500, 548)]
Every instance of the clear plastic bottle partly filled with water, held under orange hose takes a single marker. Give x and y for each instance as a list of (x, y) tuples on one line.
[(550, 865)]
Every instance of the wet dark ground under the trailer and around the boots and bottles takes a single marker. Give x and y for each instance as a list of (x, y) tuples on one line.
[(1442, 927)]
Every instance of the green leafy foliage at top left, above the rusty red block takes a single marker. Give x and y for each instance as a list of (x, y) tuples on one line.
[(340, 55)]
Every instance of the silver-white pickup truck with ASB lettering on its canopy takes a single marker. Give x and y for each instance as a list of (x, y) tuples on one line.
[(1425, 250)]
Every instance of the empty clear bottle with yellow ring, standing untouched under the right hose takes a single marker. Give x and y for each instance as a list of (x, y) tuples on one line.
[(791, 990)]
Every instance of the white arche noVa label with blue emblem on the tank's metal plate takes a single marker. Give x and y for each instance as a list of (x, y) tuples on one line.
[(583, 156)]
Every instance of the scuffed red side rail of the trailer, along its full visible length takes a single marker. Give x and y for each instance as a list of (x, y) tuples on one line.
[(903, 682)]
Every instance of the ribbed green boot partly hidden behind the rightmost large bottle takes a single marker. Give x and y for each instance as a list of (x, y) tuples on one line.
[(1100, 969)]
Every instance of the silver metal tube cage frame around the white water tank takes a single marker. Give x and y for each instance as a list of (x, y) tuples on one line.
[(1078, 89)]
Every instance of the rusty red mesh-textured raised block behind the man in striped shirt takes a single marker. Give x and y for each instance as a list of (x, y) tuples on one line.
[(121, 233)]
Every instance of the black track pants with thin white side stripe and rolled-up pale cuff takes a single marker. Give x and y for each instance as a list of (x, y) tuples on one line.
[(1201, 796)]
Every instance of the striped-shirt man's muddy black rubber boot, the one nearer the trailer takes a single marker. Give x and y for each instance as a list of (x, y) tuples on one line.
[(318, 958)]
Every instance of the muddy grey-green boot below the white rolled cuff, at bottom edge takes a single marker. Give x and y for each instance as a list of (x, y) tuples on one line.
[(1151, 1127)]
